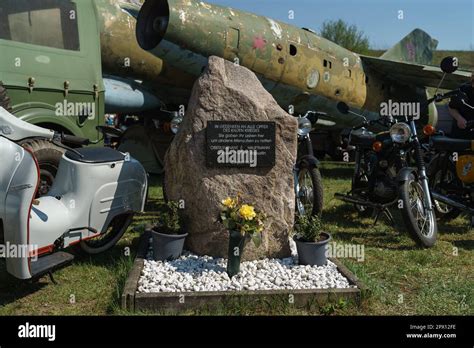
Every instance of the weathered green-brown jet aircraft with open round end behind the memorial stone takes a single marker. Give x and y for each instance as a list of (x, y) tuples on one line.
[(302, 70)]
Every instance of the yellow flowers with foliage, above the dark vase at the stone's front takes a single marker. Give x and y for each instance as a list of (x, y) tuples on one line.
[(243, 218)]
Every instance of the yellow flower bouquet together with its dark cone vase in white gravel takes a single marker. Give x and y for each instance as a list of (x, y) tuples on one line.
[(243, 223)]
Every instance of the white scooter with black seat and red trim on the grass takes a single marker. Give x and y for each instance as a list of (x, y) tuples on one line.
[(91, 202)]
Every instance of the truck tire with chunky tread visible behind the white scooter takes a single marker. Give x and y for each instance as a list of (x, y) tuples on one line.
[(48, 157)]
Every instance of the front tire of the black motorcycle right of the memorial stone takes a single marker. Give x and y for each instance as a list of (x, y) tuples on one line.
[(411, 223)]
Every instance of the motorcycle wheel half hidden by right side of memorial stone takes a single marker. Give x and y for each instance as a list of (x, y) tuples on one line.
[(309, 195)]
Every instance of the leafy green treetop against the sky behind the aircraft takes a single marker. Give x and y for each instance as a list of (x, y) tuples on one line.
[(345, 35)]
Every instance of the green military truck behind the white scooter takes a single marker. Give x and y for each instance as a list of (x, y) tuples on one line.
[(50, 71)]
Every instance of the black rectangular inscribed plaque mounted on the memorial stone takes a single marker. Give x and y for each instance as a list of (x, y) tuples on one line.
[(237, 144)]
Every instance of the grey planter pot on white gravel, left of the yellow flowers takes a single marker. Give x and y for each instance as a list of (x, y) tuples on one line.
[(167, 247)]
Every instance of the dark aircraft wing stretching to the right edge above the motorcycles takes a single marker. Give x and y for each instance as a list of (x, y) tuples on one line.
[(415, 74)]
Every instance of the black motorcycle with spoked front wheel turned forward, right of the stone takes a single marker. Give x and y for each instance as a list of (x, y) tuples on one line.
[(384, 175)]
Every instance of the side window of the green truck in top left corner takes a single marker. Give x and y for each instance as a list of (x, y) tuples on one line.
[(50, 23)]
